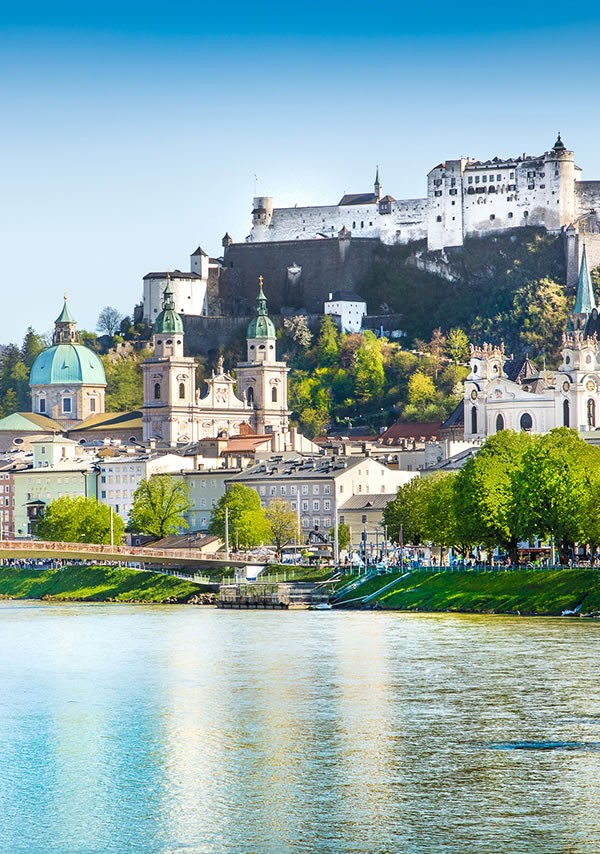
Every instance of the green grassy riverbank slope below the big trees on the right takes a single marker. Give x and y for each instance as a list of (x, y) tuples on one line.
[(535, 592)]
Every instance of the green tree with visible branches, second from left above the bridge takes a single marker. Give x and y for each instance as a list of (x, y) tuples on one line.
[(158, 506)]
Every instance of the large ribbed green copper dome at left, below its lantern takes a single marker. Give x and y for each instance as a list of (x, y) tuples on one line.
[(67, 364)]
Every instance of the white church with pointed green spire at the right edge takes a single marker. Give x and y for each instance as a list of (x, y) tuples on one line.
[(504, 394)]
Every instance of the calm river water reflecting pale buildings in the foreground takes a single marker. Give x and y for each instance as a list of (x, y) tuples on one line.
[(180, 729)]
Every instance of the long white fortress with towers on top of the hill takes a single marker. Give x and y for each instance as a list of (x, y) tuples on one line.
[(465, 197)]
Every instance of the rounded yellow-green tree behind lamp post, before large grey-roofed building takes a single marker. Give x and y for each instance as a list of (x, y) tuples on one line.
[(248, 525)]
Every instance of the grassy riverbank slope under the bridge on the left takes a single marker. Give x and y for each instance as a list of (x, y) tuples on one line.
[(95, 584)]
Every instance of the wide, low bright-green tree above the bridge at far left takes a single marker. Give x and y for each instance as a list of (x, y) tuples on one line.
[(75, 519)]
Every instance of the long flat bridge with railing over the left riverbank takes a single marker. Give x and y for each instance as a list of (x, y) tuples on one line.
[(45, 550)]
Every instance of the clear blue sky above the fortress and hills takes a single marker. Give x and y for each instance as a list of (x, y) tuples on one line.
[(133, 132)]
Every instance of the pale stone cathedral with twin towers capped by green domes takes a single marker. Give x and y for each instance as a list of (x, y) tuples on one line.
[(174, 411)]
